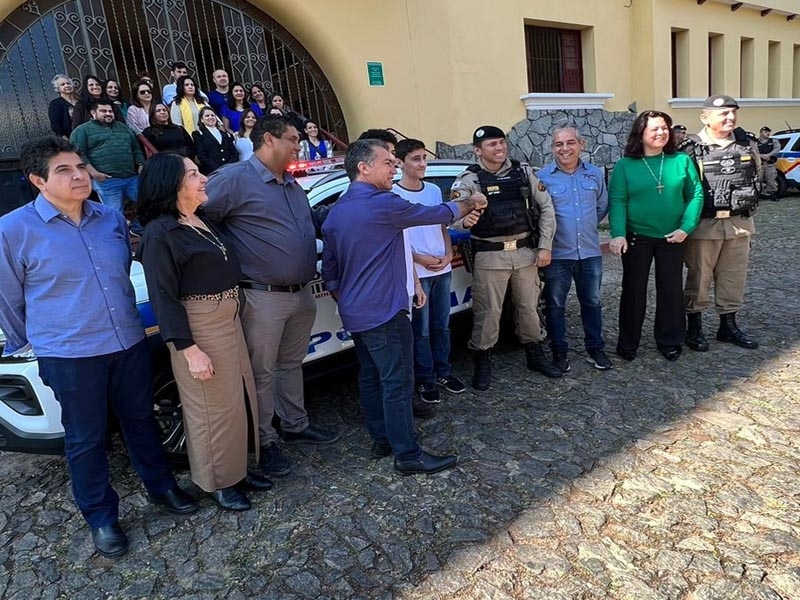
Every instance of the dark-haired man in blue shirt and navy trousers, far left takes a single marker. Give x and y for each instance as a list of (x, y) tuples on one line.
[(67, 298)]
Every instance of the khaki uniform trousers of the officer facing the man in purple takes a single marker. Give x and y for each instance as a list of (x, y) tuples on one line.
[(488, 291)]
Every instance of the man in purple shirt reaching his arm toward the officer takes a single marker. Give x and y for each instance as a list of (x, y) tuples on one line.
[(364, 267)]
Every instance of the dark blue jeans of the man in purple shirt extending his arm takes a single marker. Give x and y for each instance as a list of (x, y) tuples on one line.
[(386, 384)]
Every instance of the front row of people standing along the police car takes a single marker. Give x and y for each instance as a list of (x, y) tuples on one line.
[(228, 259)]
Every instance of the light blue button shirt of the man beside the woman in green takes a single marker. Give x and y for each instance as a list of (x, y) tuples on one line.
[(580, 200)]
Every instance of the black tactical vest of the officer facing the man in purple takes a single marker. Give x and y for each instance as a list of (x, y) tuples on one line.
[(510, 209)]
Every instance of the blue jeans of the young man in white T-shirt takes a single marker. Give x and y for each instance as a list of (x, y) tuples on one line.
[(431, 325)]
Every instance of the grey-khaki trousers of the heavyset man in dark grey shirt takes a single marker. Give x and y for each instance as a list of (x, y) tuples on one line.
[(277, 326)]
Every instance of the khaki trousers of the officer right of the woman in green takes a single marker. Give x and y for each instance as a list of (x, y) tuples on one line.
[(725, 263)]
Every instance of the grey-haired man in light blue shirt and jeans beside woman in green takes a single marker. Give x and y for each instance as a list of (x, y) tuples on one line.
[(580, 198)]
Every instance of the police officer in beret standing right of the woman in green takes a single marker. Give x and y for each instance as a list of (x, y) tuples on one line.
[(717, 251)]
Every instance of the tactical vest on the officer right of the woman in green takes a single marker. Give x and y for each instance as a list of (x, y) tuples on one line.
[(729, 176)]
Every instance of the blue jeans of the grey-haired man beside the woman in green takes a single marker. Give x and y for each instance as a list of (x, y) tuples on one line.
[(588, 276)]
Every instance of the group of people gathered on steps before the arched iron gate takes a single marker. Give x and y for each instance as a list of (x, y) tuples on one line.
[(212, 129)]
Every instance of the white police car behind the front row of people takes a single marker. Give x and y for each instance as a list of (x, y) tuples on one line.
[(30, 418)]
